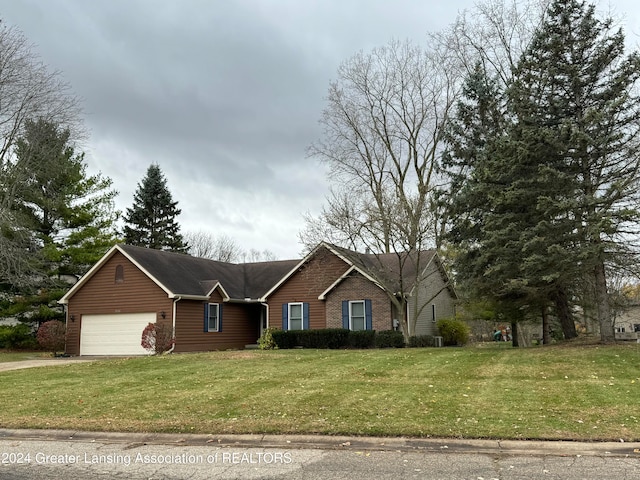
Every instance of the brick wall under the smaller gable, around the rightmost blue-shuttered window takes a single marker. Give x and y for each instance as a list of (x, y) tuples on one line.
[(357, 287)]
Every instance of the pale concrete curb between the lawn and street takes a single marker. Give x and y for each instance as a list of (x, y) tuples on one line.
[(325, 442)]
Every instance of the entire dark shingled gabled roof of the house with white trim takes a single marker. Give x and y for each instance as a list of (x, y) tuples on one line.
[(181, 275)]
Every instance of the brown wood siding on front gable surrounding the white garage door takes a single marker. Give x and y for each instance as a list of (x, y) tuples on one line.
[(102, 295)]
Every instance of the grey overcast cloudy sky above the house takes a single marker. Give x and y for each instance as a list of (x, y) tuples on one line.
[(225, 95)]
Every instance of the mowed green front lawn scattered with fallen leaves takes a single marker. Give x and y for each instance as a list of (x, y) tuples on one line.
[(555, 392)]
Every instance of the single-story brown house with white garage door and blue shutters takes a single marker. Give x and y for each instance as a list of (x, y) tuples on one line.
[(215, 305)]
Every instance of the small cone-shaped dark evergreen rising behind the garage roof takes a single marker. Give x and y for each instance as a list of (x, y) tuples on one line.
[(151, 221)]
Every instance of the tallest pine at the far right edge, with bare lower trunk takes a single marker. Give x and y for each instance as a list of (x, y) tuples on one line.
[(575, 93)]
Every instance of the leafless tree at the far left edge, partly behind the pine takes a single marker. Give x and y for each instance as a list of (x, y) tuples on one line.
[(28, 91)]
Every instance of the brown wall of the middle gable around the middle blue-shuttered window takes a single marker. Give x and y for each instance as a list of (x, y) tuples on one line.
[(305, 285)]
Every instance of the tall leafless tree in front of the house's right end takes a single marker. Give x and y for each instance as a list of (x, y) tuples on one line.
[(383, 133)]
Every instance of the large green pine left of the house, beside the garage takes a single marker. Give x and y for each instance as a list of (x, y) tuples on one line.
[(69, 214)]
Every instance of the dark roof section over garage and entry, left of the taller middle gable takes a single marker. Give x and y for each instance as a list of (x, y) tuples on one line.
[(181, 275)]
